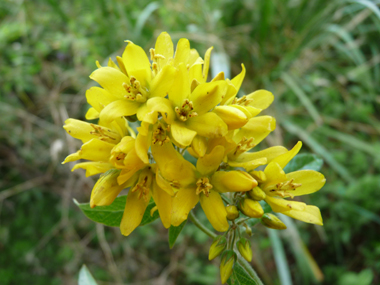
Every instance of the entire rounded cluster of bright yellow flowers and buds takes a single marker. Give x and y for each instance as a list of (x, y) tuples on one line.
[(182, 113)]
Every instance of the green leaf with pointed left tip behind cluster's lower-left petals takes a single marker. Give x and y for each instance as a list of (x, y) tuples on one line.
[(111, 215)]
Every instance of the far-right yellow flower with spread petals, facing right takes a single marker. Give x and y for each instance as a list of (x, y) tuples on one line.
[(278, 185)]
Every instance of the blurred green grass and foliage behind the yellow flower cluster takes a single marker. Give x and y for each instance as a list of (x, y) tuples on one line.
[(321, 59)]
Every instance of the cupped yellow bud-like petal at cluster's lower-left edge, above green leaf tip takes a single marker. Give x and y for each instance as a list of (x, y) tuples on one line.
[(106, 189)]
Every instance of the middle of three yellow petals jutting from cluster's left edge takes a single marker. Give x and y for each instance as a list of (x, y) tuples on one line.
[(95, 150)]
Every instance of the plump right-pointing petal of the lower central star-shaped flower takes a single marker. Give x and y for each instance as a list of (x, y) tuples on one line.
[(232, 181)]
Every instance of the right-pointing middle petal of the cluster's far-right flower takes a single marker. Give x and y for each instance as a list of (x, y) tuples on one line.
[(311, 181)]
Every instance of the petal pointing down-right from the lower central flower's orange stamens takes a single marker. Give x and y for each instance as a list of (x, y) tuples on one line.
[(215, 210)]
